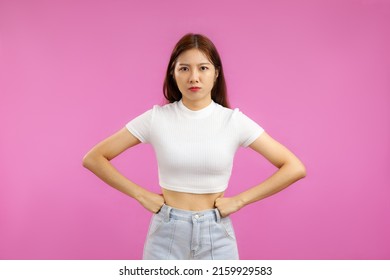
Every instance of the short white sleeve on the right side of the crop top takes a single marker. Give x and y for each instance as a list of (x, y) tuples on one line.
[(248, 130)]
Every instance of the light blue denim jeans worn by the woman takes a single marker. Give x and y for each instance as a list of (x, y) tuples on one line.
[(181, 235)]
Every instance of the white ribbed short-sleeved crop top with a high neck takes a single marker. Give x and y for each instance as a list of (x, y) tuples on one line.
[(194, 149)]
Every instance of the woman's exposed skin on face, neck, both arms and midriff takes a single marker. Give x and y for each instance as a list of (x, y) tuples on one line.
[(194, 69)]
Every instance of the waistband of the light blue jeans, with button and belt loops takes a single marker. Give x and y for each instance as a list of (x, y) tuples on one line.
[(169, 213)]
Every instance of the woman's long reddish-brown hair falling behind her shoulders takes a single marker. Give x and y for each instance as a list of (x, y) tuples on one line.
[(202, 43)]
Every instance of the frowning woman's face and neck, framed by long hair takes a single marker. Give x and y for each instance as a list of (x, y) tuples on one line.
[(195, 76)]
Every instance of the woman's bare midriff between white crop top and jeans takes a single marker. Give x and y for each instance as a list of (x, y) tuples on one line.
[(190, 201)]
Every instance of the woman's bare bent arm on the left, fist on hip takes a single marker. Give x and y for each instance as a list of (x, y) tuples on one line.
[(98, 159)]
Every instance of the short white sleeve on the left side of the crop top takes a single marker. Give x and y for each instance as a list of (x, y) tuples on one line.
[(140, 126)]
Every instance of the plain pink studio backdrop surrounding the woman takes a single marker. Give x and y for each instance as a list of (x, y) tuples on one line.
[(314, 74)]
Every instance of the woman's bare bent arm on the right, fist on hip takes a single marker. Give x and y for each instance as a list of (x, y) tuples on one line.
[(290, 170)]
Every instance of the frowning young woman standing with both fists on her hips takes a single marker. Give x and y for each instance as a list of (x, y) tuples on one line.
[(195, 137)]
